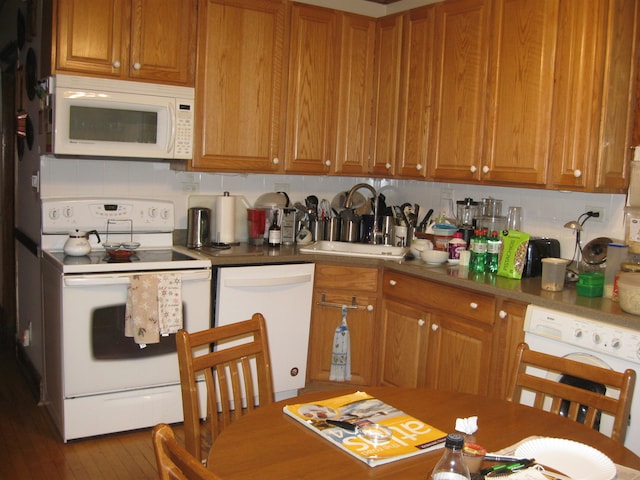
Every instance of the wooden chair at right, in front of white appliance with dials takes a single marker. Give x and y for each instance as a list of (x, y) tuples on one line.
[(577, 398)]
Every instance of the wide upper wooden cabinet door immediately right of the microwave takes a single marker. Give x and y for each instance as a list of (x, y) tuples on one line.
[(240, 85)]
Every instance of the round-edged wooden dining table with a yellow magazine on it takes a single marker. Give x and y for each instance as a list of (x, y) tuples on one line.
[(268, 444)]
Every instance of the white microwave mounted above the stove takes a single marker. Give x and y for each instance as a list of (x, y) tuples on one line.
[(85, 116)]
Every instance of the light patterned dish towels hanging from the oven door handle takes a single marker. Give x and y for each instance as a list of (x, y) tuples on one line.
[(153, 308)]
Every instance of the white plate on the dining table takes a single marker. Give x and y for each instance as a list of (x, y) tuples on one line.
[(578, 461)]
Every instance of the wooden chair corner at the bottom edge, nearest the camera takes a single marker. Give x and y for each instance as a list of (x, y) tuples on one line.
[(174, 462)]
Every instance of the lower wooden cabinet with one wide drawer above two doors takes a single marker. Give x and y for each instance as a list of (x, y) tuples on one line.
[(452, 339)]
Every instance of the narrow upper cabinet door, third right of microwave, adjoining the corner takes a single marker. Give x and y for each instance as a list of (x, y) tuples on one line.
[(354, 98)]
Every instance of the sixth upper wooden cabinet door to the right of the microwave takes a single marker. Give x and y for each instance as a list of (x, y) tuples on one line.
[(460, 88)]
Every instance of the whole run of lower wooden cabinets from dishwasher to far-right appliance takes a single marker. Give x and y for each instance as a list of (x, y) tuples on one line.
[(425, 333)]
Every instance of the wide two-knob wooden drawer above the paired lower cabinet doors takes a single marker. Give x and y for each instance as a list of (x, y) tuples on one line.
[(432, 295)]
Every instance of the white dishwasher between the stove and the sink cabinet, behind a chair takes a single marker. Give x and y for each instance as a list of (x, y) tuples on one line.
[(283, 294)]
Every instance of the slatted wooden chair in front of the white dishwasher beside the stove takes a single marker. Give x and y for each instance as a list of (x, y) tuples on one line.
[(227, 375)]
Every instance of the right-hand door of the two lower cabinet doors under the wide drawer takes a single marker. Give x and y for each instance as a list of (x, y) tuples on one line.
[(458, 355)]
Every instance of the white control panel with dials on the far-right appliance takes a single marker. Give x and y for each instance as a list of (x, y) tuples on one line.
[(613, 340)]
